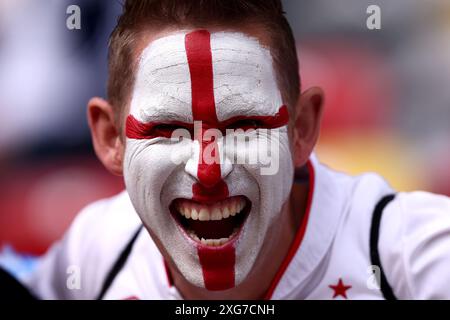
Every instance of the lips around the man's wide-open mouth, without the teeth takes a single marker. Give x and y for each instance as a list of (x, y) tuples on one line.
[(176, 216)]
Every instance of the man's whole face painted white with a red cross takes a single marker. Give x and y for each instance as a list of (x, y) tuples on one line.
[(212, 217)]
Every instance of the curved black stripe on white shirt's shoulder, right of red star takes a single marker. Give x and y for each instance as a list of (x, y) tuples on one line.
[(374, 254)]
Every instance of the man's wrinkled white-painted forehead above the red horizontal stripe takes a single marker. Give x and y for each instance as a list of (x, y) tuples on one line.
[(243, 80)]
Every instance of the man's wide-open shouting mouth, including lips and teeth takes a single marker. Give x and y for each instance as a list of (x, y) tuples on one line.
[(212, 224)]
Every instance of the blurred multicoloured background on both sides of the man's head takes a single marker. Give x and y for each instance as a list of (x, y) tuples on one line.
[(387, 105)]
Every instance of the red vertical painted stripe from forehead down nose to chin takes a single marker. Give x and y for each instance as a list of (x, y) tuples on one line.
[(217, 264)]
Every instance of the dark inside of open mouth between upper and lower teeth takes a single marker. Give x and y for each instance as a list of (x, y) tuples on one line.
[(215, 229)]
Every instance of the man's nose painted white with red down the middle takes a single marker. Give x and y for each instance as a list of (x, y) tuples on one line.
[(207, 170)]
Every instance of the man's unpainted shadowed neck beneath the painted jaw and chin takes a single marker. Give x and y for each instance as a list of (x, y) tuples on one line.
[(269, 260)]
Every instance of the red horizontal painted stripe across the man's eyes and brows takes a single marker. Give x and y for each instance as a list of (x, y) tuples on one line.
[(136, 129)]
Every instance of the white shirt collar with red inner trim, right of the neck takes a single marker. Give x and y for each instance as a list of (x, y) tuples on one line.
[(326, 204)]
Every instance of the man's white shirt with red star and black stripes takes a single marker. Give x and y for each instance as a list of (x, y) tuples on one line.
[(330, 258)]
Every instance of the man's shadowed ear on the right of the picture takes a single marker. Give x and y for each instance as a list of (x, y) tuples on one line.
[(306, 124)]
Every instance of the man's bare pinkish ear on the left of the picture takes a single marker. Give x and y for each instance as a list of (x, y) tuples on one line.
[(106, 139)]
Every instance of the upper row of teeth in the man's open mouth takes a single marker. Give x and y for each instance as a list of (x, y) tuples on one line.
[(218, 211)]
